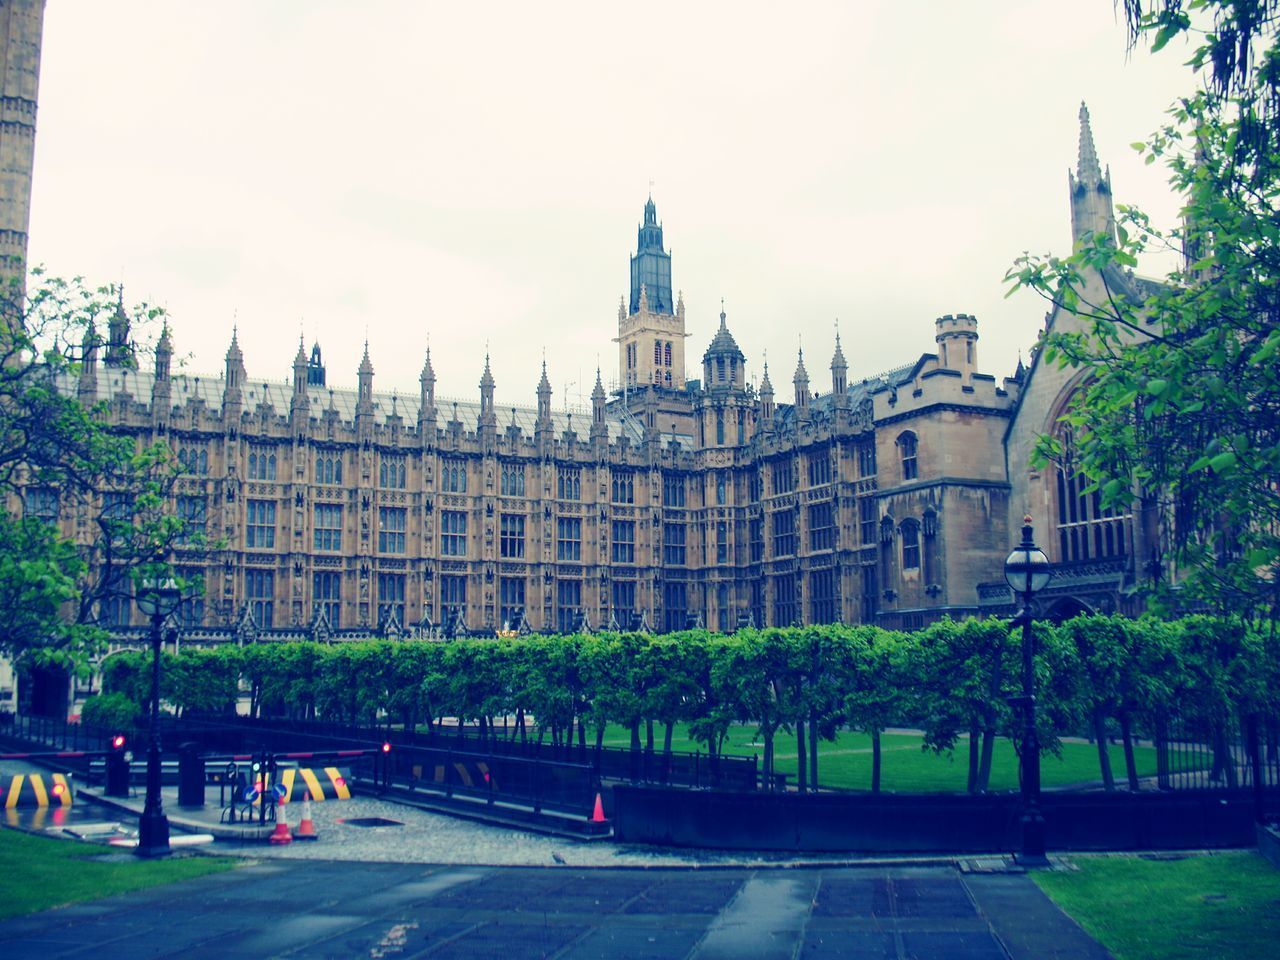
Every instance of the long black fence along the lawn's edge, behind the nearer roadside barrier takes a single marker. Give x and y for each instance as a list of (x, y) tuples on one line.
[(678, 769)]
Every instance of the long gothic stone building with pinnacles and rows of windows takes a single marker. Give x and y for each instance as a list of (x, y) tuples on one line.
[(687, 497)]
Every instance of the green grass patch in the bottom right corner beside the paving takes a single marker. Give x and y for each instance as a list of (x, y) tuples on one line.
[(1222, 906)]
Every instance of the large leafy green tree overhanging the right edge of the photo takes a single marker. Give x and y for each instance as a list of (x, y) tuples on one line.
[(1181, 406)]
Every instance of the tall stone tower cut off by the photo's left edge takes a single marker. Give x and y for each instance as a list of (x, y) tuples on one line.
[(21, 30)]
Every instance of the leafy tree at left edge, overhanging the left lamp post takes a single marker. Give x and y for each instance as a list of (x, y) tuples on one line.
[(61, 463)]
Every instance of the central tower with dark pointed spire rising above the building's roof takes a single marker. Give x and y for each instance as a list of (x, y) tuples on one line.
[(652, 332)]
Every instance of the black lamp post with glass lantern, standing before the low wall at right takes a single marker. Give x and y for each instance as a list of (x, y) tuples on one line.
[(1028, 572)]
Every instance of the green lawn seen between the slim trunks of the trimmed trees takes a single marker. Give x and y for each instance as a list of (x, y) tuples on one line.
[(847, 762)]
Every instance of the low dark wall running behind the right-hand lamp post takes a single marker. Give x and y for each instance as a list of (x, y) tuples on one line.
[(931, 822)]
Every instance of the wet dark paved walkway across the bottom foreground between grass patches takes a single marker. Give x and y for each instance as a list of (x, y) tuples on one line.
[(392, 912)]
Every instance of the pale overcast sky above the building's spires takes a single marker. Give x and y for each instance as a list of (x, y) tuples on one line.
[(474, 175)]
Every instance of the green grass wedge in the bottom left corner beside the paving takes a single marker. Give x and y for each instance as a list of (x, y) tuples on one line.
[(38, 874)]
